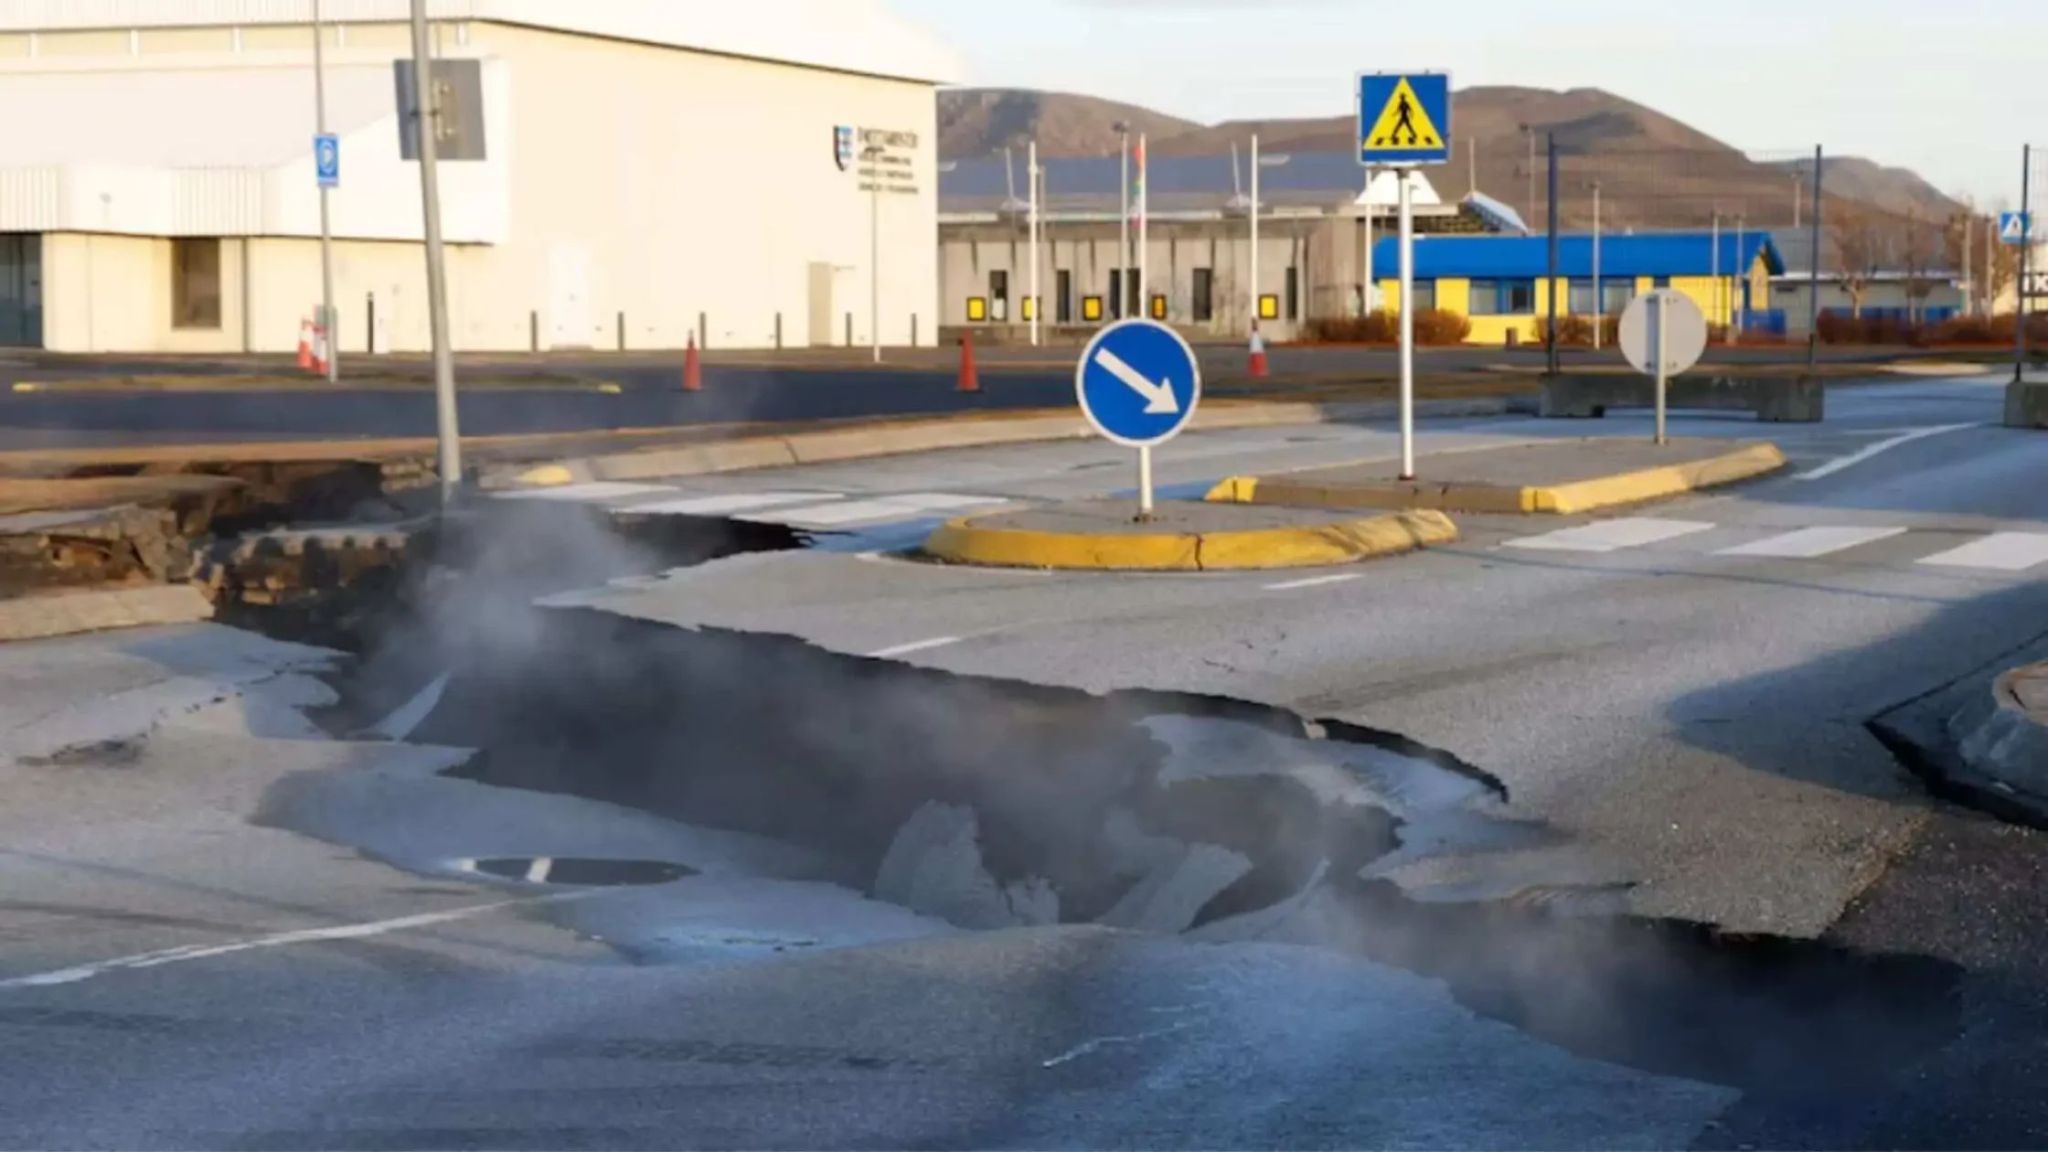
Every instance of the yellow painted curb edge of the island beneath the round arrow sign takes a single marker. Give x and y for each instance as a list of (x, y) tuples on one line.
[(1299, 546)]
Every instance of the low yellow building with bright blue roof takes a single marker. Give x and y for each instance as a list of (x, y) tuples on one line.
[(1504, 284)]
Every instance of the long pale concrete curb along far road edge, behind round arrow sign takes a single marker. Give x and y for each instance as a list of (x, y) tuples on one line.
[(931, 436)]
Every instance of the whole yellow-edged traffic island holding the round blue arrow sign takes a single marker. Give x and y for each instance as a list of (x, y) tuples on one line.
[(1183, 536)]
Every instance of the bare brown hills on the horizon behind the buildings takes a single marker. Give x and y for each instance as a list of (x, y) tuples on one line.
[(1654, 171)]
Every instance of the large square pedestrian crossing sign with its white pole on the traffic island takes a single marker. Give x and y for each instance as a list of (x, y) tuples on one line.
[(1404, 120)]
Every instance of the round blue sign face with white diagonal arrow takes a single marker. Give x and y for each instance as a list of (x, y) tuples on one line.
[(1138, 382)]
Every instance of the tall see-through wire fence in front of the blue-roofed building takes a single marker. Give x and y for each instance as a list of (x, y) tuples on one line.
[(1791, 253)]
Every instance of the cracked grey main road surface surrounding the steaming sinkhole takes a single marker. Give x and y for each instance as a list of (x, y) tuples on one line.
[(1672, 700)]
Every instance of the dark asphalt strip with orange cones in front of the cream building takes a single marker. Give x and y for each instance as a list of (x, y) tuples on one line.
[(738, 386)]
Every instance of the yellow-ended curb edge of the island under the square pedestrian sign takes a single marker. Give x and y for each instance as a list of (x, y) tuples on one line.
[(1558, 499)]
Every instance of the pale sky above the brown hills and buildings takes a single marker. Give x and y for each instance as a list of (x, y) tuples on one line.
[(1945, 87)]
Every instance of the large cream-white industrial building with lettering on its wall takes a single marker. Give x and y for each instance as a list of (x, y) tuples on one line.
[(652, 169)]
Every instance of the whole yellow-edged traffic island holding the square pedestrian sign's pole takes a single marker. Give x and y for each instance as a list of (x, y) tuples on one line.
[(1560, 479)]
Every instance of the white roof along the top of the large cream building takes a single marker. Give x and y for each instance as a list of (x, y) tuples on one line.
[(847, 36)]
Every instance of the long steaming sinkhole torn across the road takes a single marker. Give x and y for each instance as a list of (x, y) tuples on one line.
[(998, 805)]
